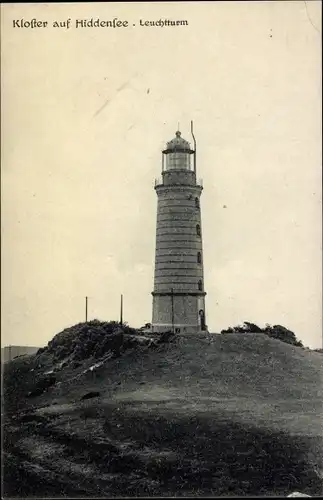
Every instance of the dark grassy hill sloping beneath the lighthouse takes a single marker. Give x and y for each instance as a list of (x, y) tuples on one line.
[(234, 414)]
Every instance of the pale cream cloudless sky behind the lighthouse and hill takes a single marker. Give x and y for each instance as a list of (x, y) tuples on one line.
[(85, 114)]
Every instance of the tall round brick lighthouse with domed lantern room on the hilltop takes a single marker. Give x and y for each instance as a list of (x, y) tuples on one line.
[(179, 295)]
